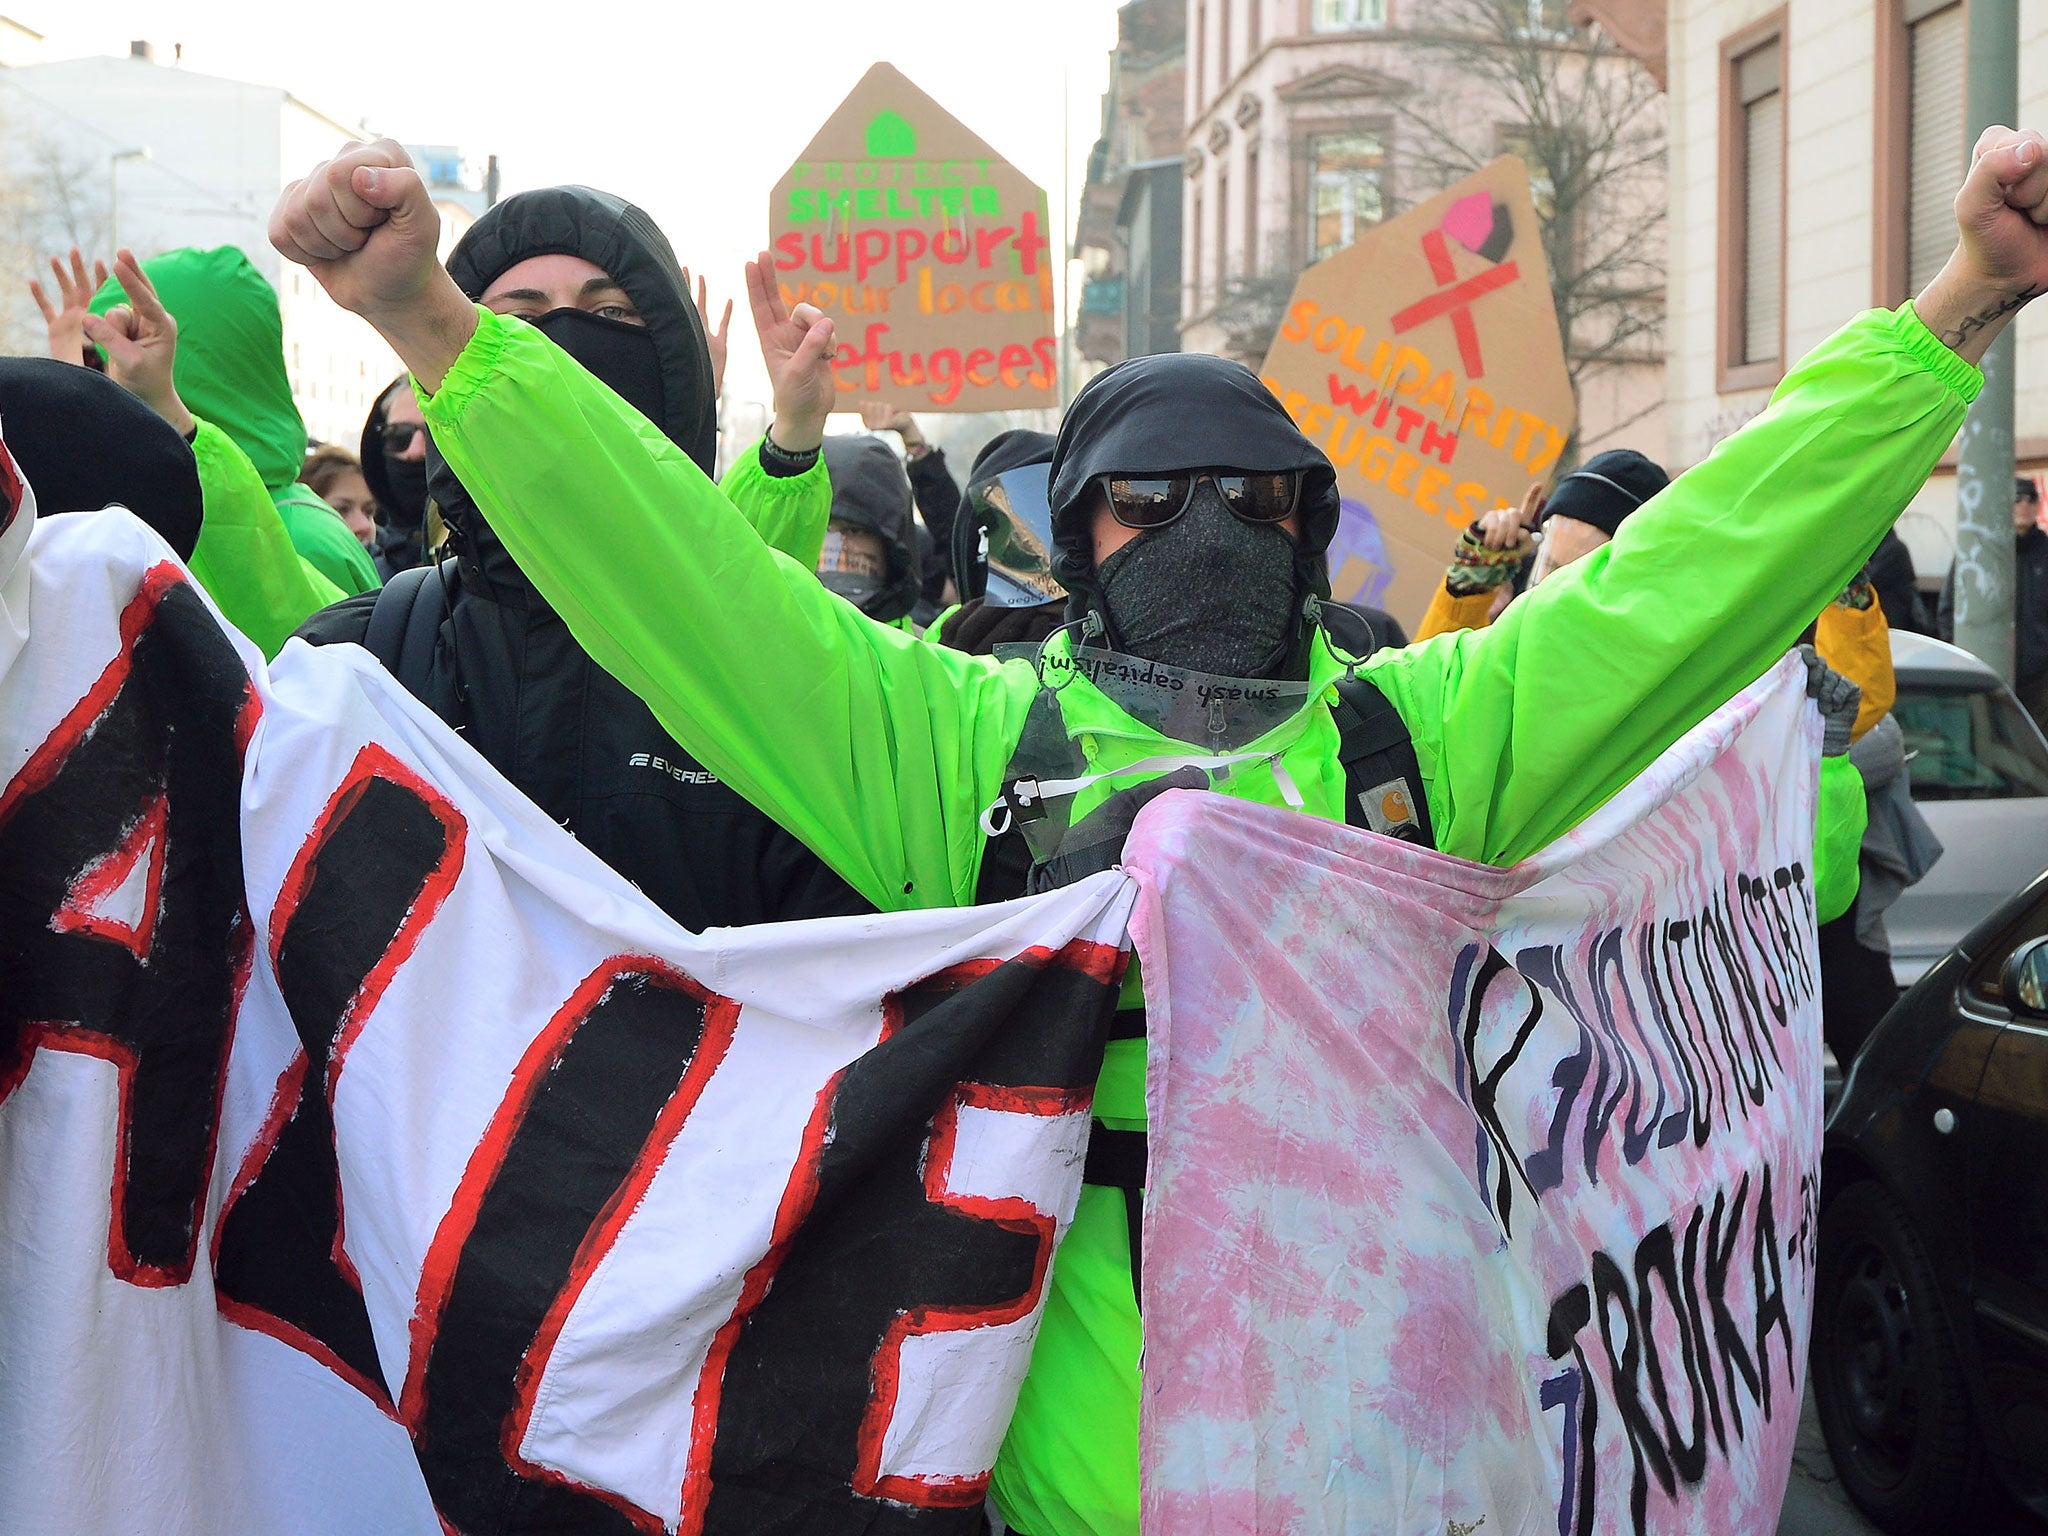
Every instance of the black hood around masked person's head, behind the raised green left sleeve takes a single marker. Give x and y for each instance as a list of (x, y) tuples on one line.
[(620, 239)]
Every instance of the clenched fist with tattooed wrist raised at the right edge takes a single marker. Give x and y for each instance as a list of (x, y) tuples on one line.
[(2002, 257)]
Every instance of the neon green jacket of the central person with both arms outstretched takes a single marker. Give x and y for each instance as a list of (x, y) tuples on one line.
[(882, 753)]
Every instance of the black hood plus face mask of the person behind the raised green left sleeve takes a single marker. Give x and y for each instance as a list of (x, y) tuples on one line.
[(663, 368)]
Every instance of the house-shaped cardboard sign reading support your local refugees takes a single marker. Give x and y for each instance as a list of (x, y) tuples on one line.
[(929, 249)]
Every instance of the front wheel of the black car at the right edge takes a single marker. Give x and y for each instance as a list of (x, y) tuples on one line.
[(1885, 1371)]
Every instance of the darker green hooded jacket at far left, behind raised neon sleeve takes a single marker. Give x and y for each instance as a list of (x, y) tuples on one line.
[(230, 372)]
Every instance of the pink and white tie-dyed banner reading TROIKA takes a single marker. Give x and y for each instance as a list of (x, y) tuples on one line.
[(1486, 1199)]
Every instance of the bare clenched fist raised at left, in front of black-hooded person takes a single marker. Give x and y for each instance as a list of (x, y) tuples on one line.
[(368, 230)]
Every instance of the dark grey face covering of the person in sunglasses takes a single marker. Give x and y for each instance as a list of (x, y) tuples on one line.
[(1209, 593)]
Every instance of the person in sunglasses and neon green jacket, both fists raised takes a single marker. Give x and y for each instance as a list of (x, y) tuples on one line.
[(1191, 523)]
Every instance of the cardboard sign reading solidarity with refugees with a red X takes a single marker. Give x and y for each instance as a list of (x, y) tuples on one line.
[(1428, 366)]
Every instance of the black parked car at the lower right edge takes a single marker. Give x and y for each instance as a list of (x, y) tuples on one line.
[(1930, 1330)]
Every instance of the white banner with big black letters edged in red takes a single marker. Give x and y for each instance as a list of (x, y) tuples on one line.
[(372, 1158)]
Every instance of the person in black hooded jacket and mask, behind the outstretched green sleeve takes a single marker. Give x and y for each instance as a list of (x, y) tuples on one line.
[(478, 644)]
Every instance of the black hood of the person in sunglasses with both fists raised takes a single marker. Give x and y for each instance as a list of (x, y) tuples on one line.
[(1170, 413)]
